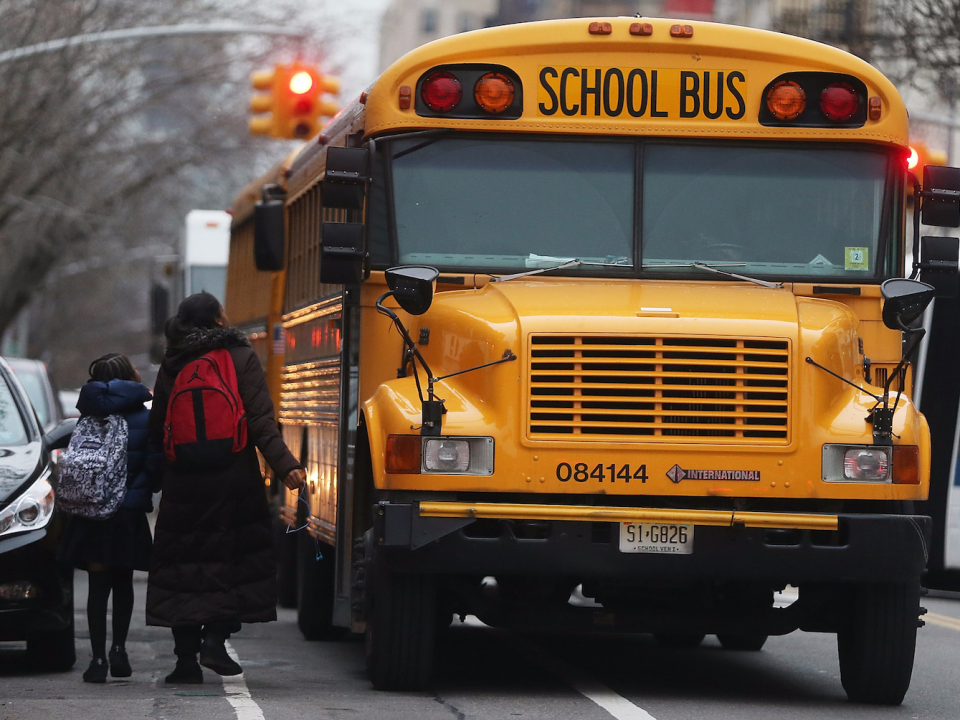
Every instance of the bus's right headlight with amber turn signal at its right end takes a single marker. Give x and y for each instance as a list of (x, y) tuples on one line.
[(890, 464)]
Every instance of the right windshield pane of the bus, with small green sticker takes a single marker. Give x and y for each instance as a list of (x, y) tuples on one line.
[(773, 211)]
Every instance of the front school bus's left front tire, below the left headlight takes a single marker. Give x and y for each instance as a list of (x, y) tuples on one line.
[(400, 631)]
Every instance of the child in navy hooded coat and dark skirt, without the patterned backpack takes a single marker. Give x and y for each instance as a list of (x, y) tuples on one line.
[(110, 550)]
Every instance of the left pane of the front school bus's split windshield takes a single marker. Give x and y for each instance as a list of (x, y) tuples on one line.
[(484, 203)]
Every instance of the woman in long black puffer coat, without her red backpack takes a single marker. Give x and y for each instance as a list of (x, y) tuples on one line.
[(213, 566)]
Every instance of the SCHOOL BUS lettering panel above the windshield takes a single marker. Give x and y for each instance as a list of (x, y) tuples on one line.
[(611, 92)]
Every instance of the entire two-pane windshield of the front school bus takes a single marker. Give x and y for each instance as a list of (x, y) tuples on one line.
[(773, 210)]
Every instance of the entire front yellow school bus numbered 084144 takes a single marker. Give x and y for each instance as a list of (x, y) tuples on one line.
[(617, 305)]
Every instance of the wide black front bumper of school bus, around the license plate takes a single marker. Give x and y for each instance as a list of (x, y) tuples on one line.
[(865, 548)]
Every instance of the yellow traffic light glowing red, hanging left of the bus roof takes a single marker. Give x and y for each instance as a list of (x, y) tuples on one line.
[(294, 99)]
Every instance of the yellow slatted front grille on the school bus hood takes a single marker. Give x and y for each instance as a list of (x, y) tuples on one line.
[(659, 389)]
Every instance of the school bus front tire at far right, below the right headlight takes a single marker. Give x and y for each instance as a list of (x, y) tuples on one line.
[(876, 644)]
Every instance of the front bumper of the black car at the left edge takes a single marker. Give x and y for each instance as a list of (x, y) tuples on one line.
[(31, 557)]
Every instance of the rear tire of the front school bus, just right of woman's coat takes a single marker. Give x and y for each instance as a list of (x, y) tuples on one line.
[(315, 589)]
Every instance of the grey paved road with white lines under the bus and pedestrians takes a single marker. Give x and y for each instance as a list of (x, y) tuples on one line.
[(487, 674)]
